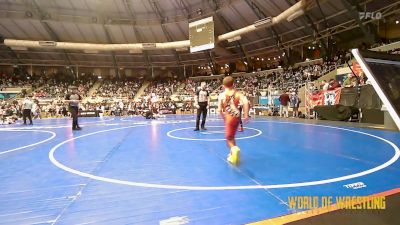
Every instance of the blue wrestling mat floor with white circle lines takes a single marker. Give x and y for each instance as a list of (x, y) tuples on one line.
[(138, 171)]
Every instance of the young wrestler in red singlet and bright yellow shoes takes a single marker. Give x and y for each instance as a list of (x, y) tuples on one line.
[(228, 106)]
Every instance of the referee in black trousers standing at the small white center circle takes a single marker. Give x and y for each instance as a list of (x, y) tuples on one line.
[(201, 102)]
